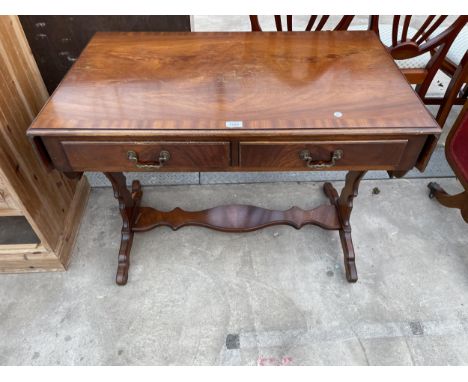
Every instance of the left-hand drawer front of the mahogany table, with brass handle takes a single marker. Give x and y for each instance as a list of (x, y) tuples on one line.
[(147, 156)]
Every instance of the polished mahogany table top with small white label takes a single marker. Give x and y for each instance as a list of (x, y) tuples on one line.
[(220, 81)]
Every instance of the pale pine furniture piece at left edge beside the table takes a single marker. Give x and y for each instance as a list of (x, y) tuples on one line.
[(52, 204)]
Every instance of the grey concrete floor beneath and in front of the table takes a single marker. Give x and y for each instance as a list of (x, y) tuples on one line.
[(274, 297)]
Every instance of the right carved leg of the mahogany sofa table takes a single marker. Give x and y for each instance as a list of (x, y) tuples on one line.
[(344, 205)]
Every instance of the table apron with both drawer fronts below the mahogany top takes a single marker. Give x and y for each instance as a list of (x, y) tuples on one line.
[(186, 155)]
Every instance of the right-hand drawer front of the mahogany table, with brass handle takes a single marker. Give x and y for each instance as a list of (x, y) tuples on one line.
[(322, 155)]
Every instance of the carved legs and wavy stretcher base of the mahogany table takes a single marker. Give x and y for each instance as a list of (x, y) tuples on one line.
[(234, 218)]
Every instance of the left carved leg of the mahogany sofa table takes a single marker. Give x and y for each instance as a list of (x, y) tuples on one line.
[(129, 203)]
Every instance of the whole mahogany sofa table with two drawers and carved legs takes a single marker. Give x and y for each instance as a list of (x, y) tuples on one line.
[(292, 101)]
